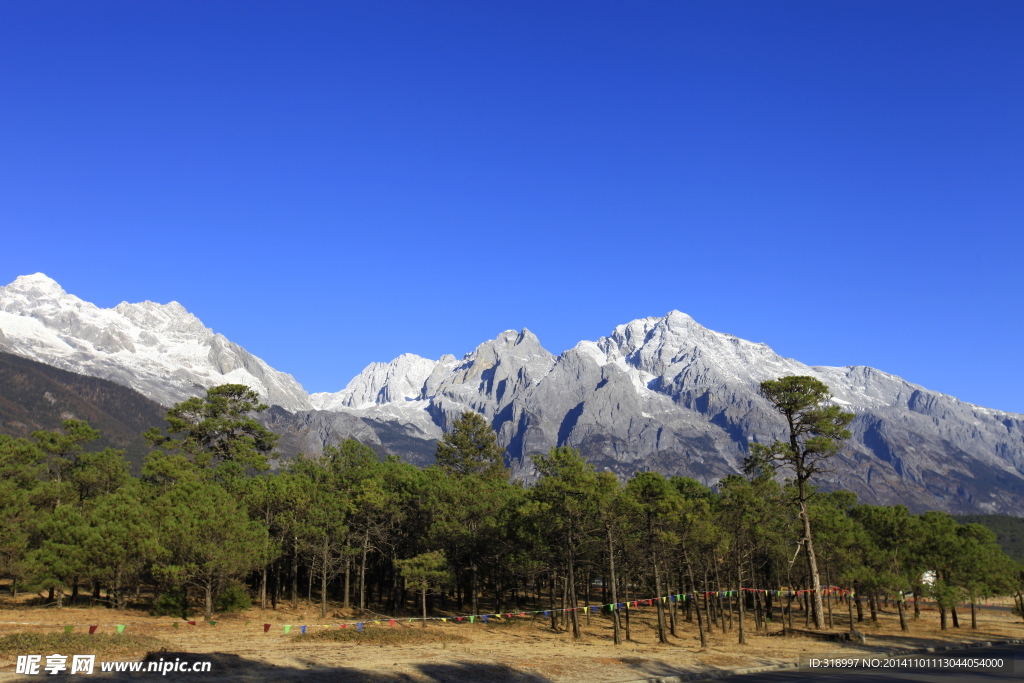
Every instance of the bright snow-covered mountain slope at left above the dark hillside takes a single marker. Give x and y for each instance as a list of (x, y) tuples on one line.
[(161, 351)]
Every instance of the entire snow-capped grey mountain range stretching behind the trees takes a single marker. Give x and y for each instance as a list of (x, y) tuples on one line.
[(658, 394)]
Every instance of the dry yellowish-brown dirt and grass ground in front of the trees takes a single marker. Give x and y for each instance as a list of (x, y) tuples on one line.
[(523, 651)]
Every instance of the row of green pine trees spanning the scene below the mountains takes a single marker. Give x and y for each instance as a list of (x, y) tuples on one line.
[(208, 518)]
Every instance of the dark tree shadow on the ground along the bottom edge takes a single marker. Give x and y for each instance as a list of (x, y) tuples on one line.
[(234, 669)]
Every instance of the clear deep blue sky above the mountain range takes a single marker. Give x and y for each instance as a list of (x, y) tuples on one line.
[(333, 184)]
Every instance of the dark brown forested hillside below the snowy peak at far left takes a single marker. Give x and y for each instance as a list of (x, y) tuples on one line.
[(34, 397)]
